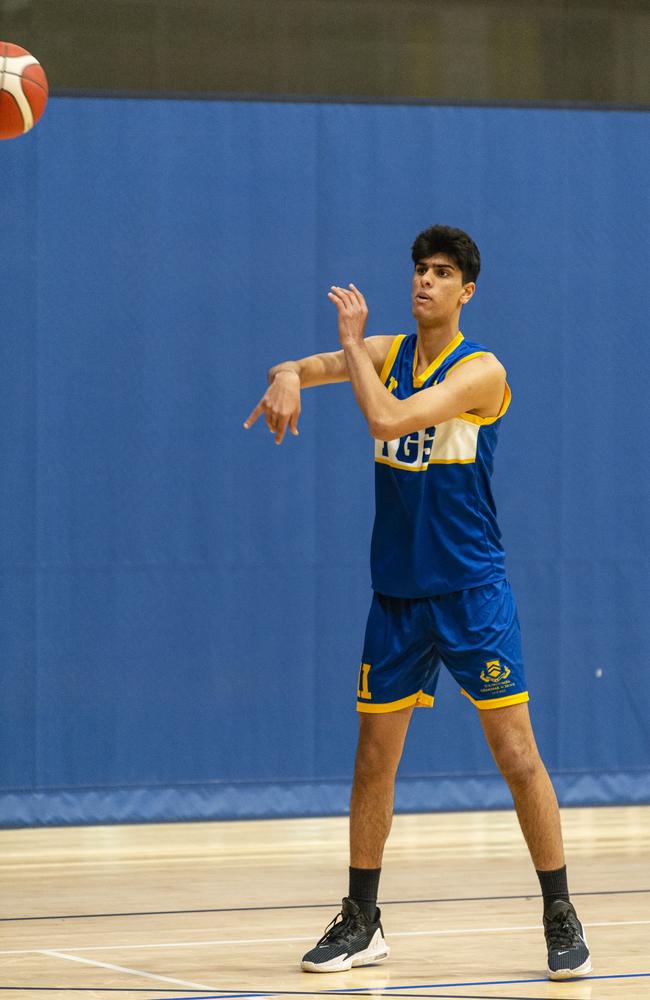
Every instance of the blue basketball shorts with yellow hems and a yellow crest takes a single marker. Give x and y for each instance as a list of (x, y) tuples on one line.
[(474, 633)]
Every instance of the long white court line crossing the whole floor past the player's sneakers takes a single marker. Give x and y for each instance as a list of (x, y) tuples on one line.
[(450, 932)]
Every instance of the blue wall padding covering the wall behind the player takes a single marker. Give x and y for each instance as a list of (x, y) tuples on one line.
[(183, 603)]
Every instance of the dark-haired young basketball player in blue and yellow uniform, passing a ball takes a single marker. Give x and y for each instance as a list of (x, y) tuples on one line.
[(433, 402)]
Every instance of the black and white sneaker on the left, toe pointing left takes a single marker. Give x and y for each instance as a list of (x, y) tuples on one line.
[(350, 939)]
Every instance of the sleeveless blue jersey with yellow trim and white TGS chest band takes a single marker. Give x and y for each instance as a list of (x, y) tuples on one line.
[(435, 526)]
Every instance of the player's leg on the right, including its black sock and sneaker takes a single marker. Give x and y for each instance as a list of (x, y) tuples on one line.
[(511, 740)]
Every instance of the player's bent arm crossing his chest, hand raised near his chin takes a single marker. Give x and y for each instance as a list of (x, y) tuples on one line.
[(476, 386)]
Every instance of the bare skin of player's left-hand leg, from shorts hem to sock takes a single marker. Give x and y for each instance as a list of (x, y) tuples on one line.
[(381, 741)]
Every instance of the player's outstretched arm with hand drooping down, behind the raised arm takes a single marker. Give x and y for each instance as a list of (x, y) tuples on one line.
[(280, 404)]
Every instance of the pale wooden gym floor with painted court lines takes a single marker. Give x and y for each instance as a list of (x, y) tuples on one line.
[(227, 909)]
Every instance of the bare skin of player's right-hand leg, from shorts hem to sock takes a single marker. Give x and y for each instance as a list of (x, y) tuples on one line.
[(510, 737)]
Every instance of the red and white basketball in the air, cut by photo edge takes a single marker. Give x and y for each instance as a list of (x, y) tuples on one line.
[(23, 90)]
